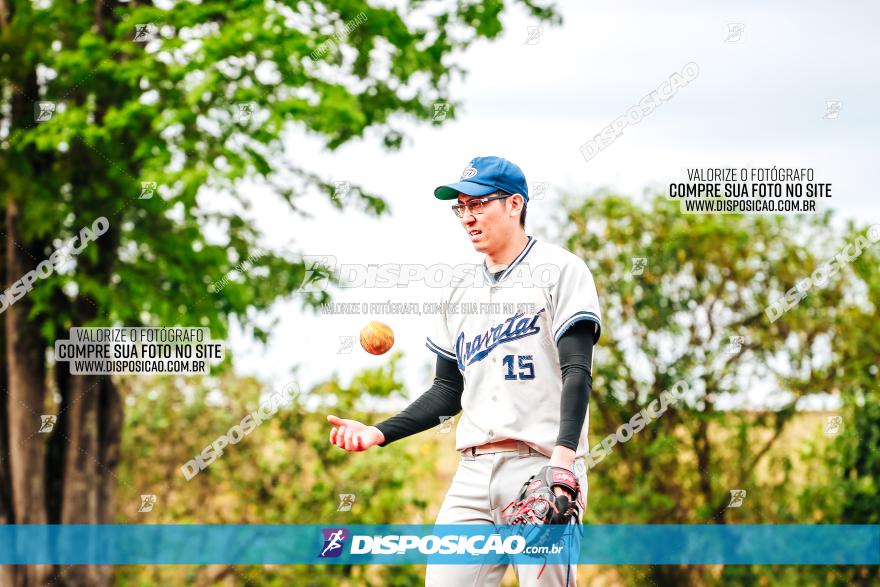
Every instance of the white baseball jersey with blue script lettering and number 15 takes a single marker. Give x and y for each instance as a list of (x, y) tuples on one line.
[(503, 336)]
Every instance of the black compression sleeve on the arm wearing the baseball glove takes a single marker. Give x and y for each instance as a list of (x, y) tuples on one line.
[(575, 359)]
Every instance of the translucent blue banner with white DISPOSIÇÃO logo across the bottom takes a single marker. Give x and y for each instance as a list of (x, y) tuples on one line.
[(396, 544)]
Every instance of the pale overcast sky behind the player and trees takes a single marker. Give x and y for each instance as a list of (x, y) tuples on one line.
[(757, 102)]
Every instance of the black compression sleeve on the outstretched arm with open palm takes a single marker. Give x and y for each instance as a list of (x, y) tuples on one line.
[(442, 399)]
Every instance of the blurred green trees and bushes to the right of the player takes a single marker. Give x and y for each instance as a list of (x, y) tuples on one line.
[(710, 277)]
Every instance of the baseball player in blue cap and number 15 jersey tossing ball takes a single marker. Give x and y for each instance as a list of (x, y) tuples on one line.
[(519, 371)]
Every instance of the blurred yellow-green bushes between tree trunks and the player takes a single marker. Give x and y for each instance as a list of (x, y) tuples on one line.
[(284, 472)]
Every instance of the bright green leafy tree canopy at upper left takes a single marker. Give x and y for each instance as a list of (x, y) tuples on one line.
[(201, 109)]
